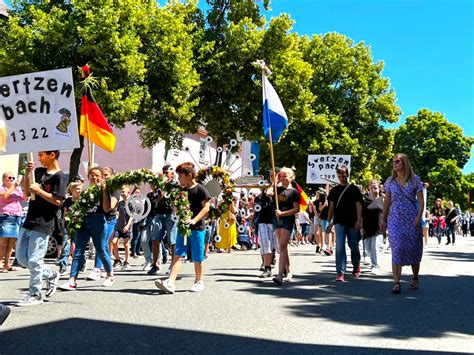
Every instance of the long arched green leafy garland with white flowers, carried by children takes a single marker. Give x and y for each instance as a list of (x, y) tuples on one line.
[(89, 198)]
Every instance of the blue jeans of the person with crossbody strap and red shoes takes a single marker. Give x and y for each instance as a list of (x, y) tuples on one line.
[(353, 240)]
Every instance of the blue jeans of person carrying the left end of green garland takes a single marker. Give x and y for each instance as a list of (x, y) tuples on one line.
[(95, 226)]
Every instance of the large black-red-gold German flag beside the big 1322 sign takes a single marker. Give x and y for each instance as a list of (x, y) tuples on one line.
[(94, 125)]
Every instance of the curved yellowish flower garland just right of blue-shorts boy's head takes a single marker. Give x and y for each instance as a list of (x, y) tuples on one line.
[(227, 185)]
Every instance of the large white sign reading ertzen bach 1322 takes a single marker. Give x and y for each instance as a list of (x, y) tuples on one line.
[(40, 112)]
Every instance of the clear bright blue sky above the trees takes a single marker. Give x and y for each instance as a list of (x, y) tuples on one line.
[(426, 45)]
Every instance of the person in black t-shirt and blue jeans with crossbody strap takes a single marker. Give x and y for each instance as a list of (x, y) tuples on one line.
[(345, 205)]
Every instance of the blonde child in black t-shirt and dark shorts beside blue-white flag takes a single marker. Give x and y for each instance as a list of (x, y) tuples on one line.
[(284, 221)]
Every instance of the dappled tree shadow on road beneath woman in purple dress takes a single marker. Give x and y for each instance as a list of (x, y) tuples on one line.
[(440, 306)]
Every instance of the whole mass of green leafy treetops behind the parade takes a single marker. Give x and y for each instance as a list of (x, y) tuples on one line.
[(173, 68)]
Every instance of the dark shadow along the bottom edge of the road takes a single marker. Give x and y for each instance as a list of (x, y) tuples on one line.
[(85, 336)]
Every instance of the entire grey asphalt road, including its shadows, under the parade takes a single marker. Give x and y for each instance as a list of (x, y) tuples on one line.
[(240, 313)]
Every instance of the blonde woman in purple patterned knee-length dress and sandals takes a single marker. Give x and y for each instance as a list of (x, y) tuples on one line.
[(402, 213)]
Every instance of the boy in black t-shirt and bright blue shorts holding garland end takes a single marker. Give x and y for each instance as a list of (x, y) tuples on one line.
[(200, 203)]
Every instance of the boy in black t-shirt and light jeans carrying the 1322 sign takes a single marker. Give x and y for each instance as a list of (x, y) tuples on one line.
[(49, 190)]
